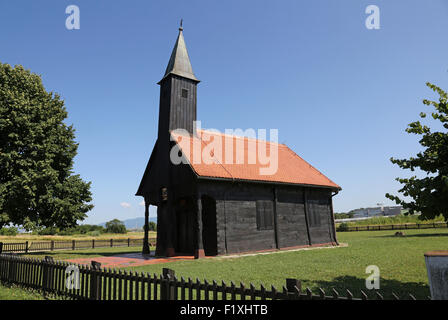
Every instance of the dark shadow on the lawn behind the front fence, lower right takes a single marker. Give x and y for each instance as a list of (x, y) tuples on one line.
[(355, 285)]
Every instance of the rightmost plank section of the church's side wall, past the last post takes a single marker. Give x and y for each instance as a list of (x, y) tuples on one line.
[(320, 215)]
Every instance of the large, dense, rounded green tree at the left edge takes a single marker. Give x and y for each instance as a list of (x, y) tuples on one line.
[(37, 186)]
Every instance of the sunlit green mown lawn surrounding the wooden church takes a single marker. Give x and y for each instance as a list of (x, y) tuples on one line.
[(400, 260)]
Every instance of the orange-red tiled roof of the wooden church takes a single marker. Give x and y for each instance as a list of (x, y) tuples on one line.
[(291, 168)]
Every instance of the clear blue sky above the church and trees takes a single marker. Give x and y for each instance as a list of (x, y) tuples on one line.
[(339, 94)]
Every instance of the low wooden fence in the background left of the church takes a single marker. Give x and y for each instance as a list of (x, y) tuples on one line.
[(33, 246)]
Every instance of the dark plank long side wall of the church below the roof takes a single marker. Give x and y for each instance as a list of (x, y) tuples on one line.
[(236, 215)]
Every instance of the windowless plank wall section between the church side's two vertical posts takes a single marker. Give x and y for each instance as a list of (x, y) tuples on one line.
[(291, 221)]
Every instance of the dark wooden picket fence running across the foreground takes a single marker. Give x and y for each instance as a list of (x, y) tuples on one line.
[(61, 279)]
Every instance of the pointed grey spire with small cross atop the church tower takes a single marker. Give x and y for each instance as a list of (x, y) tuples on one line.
[(179, 63)]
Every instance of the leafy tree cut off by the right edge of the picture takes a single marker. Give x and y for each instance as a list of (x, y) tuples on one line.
[(429, 194)]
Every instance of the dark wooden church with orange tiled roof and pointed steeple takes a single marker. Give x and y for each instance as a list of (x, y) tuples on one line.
[(215, 208)]
